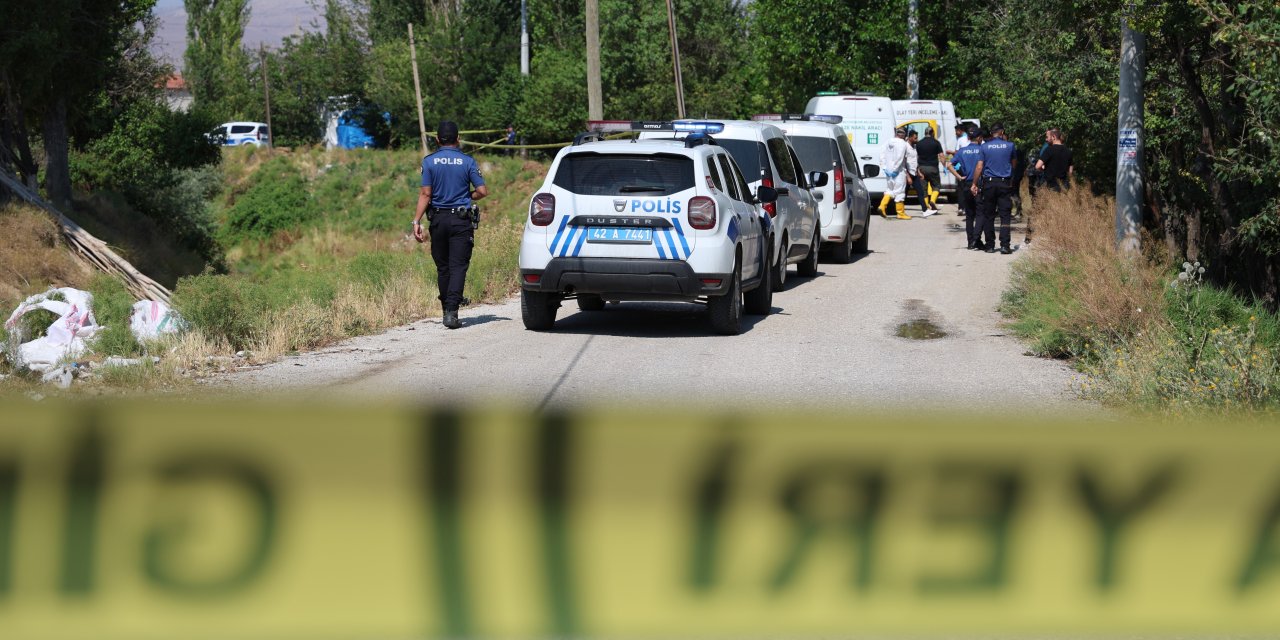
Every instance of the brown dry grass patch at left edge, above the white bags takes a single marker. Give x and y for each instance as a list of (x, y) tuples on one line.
[(33, 257)]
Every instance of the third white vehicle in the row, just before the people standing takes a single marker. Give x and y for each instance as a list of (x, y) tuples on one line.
[(822, 147)]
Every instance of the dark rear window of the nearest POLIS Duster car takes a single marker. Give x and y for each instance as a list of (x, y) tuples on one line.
[(612, 175)]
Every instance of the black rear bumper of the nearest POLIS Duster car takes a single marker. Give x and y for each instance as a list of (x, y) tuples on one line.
[(624, 278)]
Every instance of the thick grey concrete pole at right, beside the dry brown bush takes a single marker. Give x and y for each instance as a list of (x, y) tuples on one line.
[(1130, 141)]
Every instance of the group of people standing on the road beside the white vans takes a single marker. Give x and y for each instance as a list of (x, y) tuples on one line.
[(989, 170)]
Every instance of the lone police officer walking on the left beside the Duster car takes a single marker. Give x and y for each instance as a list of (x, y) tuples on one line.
[(451, 185)]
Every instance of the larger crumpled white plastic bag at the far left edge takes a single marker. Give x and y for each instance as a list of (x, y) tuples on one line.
[(66, 337)]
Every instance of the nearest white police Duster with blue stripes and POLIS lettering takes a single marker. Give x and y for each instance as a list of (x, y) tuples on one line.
[(643, 221)]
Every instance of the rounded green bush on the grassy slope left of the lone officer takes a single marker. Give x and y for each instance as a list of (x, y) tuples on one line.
[(277, 200)]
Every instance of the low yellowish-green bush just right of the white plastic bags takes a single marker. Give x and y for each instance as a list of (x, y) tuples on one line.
[(225, 308)]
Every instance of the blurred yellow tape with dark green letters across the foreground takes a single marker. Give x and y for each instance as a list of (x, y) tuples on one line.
[(162, 522)]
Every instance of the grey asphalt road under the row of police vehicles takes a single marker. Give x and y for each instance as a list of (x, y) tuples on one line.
[(831, 342)]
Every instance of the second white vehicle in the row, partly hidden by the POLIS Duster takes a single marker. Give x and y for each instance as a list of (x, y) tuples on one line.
[(767, 161)]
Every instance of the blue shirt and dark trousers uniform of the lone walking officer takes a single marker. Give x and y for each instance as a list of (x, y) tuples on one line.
[(451, 175)]
